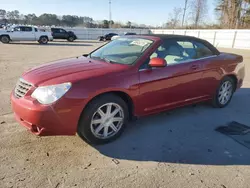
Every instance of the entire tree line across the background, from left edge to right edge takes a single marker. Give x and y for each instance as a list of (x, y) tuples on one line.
[(228, 14)]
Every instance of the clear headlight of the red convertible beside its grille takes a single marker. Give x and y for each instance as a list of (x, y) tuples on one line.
[(50, 94)]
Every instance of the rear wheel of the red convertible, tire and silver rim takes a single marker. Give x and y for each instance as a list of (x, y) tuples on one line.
[(223, 96)]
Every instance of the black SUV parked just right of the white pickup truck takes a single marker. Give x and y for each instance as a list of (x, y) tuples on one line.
[(59, 33)]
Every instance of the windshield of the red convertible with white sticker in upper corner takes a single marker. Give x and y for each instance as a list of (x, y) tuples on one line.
[(122, 50)]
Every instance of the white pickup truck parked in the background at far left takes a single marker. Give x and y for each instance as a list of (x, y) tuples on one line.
[(25, 33)]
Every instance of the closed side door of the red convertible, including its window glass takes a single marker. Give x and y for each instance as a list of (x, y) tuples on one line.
[(176, 84)]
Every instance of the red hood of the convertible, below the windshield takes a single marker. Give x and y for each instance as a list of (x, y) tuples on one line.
[(67, 67)]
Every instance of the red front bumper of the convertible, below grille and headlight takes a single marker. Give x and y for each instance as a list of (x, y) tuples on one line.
[(45, 120)]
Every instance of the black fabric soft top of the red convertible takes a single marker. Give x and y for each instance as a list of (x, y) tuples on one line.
[(185, 37)]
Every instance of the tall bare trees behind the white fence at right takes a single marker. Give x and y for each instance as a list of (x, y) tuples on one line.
[(228, 14)]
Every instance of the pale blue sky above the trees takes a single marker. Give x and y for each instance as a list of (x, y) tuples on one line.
[(154, 12)]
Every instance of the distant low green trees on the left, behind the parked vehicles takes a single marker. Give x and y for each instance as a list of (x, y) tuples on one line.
[(15, 17)]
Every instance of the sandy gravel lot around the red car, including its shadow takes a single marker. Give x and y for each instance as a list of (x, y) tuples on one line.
[(172, 149)]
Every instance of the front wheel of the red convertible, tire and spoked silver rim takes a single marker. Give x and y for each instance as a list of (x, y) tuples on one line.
[(94, 133)]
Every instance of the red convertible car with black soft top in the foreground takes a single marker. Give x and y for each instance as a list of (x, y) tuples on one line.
[(95, 95)]
